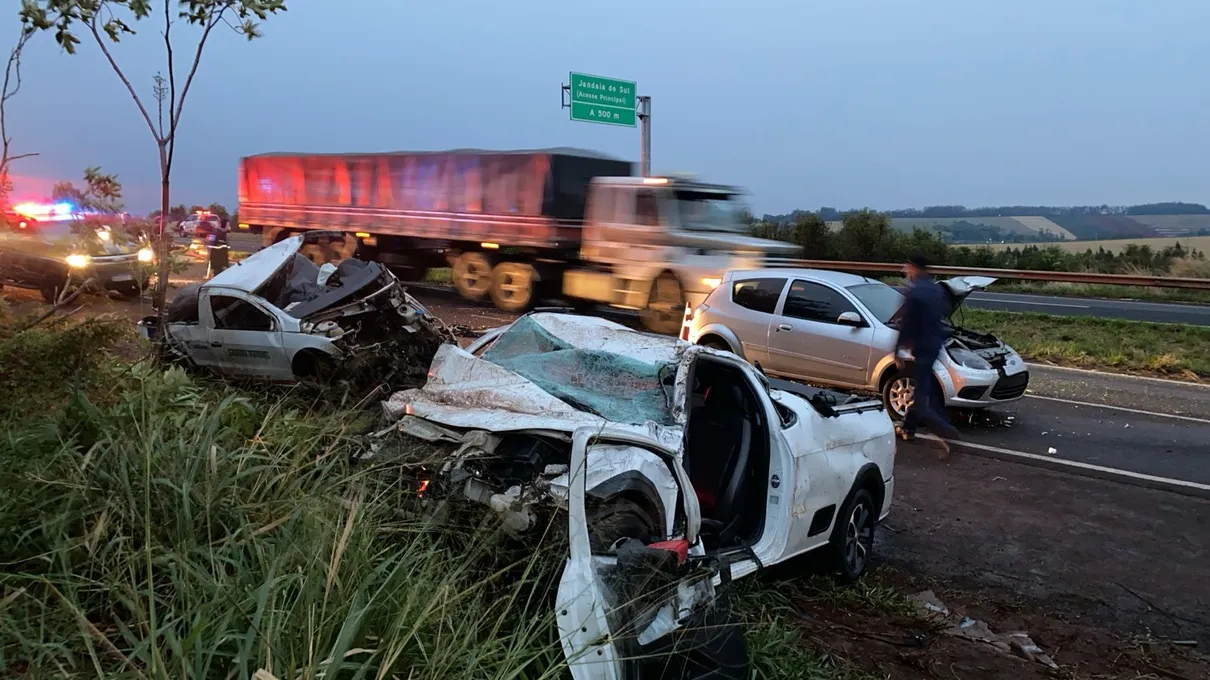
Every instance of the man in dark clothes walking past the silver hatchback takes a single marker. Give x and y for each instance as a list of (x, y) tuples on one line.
[(923, 333)]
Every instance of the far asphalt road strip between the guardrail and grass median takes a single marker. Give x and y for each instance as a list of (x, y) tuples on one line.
[(1130, 310)]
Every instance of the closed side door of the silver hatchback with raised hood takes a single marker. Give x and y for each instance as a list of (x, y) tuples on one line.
[(809, 341)]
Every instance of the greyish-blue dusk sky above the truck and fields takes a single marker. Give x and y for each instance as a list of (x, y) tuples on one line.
[(808, 103)]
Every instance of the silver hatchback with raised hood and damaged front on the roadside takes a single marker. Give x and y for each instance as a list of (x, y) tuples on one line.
[(839, 330)]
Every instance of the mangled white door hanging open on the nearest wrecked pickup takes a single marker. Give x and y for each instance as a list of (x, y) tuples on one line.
[(642, 609)]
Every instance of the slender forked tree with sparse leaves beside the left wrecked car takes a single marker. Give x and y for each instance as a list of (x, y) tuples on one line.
[(102, 20)]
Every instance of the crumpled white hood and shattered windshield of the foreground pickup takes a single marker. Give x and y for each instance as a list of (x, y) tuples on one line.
[(557, 373)]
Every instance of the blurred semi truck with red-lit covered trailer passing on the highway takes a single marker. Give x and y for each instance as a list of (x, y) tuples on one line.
[(515, 227)]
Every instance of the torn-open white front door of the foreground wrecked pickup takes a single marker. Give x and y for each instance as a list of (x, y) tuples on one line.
[(600, 636)]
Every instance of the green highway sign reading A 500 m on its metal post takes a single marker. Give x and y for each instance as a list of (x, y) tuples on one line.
[(608, 101)]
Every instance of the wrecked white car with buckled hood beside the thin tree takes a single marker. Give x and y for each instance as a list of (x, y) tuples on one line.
[(279, 316)]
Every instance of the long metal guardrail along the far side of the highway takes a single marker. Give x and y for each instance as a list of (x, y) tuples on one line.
[(1013, 274)]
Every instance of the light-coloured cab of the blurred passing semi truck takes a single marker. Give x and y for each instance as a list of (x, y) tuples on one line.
[(654, 244)]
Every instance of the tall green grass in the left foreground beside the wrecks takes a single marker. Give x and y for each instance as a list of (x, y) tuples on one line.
[(185, 531)]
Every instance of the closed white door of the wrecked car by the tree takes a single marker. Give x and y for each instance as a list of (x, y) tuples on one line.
[(245, 336)]
